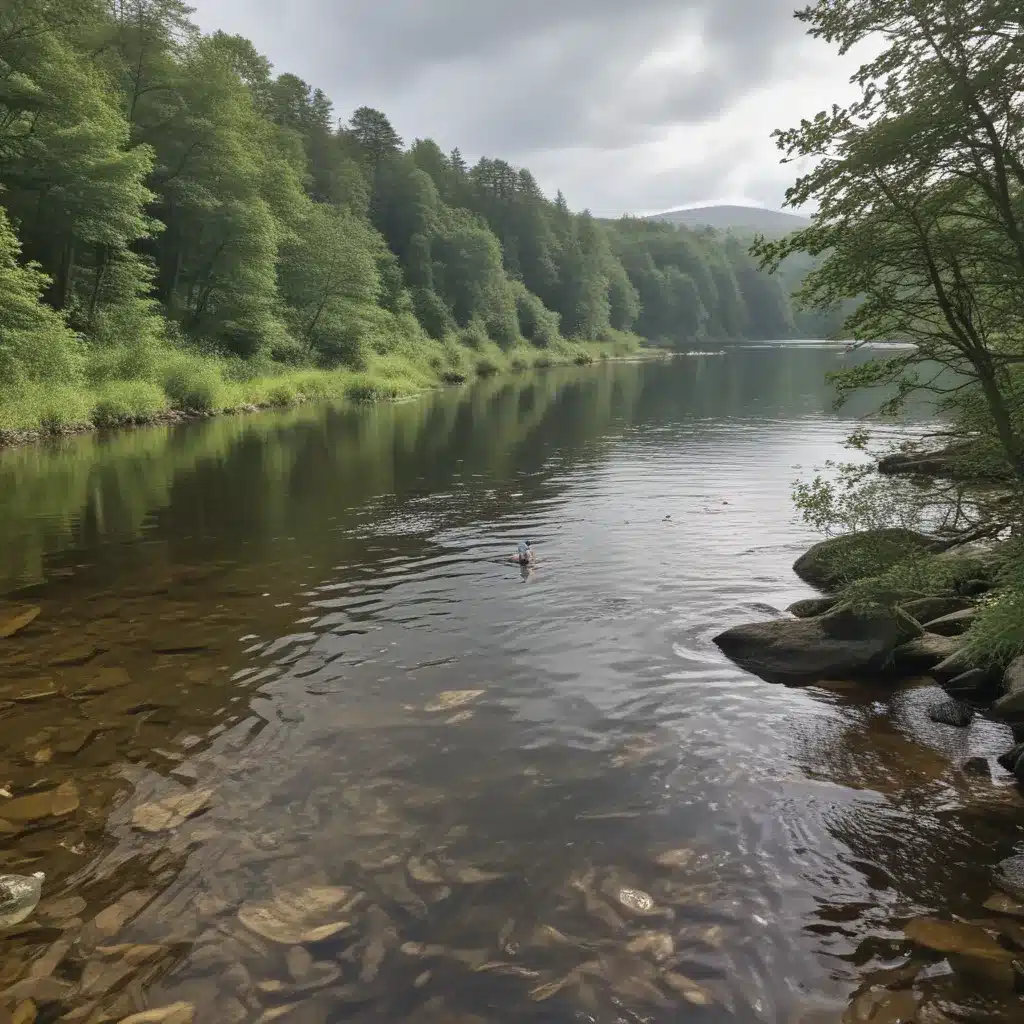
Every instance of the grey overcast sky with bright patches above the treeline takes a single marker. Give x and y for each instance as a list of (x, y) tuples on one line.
[(627, 106)]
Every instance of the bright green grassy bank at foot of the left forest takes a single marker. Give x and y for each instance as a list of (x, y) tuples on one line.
[(125, 388)]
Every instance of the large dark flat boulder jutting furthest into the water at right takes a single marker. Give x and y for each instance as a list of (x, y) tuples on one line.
[(839, 645)]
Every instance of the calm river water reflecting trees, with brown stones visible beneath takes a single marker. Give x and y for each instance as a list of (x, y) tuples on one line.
[(293, 740)]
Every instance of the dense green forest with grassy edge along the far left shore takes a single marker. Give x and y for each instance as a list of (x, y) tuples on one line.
[(184, 229)]
